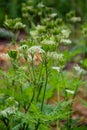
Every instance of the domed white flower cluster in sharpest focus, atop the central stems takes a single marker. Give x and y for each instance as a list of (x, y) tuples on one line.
[(32, 50)]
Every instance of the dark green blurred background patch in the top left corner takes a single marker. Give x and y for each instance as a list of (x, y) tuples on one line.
[(12, 8)]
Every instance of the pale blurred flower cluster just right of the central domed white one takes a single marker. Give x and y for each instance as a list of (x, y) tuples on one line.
[(55, 56)]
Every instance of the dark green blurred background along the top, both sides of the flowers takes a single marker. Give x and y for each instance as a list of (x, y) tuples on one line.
[(12, 8)]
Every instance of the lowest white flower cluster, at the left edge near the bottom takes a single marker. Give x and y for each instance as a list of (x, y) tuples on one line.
[(9, 111)]
